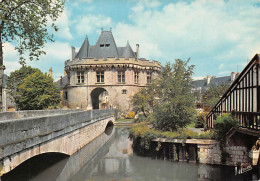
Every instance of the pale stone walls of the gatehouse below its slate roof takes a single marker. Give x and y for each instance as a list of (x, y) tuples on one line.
[(79, 93)]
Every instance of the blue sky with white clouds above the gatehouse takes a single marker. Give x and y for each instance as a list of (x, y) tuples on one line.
[(219, 36)]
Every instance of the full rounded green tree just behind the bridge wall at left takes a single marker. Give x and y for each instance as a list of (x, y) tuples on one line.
[(38, 91)]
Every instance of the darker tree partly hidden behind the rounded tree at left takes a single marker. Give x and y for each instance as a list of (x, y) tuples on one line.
[(16, 78)]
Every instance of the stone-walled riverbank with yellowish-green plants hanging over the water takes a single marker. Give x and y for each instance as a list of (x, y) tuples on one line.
[(187, 145)]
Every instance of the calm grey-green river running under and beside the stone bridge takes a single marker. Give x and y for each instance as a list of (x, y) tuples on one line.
[(115, 161)]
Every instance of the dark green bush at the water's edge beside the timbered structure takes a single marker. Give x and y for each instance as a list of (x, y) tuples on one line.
[(223, 124)]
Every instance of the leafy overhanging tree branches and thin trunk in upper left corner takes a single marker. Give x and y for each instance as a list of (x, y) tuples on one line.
[(26, 23)]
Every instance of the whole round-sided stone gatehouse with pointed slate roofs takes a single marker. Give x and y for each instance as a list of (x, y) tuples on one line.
[(107, 82)]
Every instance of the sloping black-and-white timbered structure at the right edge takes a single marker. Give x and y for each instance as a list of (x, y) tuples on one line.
[(247, 91)]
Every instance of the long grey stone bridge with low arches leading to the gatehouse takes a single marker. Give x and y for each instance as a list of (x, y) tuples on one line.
[(25, 134)]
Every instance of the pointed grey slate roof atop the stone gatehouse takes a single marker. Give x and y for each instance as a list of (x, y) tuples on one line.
[(104, 48)]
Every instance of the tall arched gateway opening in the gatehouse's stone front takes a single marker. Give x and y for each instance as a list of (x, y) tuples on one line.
[(99, 98)]
